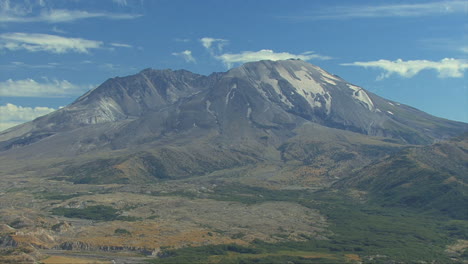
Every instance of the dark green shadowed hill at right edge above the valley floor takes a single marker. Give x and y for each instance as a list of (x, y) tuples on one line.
[(404, 183)]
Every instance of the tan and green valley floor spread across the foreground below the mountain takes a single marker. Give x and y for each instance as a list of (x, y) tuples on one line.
[(214, 220)]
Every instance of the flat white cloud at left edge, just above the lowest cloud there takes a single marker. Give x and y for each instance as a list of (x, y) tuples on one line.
[(46, 89)]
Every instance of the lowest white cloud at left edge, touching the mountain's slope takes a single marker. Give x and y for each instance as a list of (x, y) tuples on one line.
[(12, 115)]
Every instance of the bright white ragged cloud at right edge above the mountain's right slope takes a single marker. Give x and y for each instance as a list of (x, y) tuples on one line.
[(447, 67)]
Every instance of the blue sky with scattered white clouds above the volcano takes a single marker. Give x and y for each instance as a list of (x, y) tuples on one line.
[(52, 51)]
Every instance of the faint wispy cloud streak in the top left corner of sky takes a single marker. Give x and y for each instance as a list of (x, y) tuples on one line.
[(26, 12)]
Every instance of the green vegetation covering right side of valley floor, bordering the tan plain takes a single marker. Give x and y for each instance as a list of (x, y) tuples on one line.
[(361, 229)]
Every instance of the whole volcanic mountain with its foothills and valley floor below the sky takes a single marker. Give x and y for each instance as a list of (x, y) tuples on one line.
[(270, 162)]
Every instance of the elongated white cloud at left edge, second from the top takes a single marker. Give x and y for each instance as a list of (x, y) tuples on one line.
[(34, 42)]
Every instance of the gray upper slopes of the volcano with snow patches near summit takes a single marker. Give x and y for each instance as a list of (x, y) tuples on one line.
[(257, 103)]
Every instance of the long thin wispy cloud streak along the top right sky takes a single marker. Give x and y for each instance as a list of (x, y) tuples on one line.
[(438, 8)]
